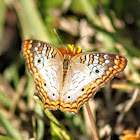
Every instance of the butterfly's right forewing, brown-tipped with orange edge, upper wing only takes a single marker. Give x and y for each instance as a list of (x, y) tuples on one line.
[(101, 67)]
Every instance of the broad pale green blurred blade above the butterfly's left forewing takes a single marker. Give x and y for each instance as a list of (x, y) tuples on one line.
[(31, 22)]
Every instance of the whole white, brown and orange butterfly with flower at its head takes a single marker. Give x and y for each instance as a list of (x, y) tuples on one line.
[(65, 79)]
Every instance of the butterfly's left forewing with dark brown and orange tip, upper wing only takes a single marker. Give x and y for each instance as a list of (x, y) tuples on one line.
[(39, 54)]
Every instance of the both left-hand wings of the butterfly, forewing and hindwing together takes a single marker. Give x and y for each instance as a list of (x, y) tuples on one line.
[(44, 61)]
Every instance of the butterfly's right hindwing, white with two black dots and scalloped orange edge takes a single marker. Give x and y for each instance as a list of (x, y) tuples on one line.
[(78, 88)]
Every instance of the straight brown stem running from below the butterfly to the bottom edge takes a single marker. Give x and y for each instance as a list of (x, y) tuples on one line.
[(93, 126)]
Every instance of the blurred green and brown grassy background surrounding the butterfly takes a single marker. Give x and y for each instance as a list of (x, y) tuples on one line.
[(108, 26)]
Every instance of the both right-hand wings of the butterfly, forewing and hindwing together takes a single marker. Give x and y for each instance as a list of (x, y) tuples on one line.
[(88, 72)]
